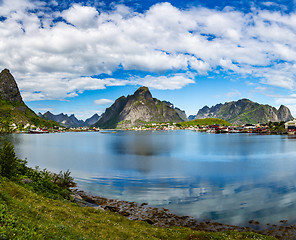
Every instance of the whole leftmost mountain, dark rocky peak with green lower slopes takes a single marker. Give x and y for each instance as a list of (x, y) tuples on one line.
[(12, 107)]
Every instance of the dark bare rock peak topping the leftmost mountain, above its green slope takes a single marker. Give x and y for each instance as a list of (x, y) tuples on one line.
[(9, 90)]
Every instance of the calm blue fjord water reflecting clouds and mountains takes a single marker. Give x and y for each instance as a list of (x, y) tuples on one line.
[(230, 178)]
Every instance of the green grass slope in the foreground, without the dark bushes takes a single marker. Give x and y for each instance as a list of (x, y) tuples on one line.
[(27, 215)]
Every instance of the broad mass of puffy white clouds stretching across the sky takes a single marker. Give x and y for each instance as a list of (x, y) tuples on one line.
[(54, 55)]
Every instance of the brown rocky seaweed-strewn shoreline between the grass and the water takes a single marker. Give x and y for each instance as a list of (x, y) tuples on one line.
[(161, 217)]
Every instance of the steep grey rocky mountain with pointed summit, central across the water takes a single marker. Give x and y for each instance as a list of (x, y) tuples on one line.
[(137, 109)]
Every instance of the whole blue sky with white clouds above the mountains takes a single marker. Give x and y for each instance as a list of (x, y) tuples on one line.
[(79, 56)]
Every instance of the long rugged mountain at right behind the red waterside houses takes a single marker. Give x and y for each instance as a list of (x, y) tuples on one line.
[(245, 111)]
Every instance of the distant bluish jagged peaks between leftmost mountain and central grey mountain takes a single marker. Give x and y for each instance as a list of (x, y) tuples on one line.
[(70, 121)]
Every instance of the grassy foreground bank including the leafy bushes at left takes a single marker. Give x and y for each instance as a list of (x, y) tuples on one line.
[(36, 204)]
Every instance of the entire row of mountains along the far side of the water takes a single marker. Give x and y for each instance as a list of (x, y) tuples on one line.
[(134, 110)]
